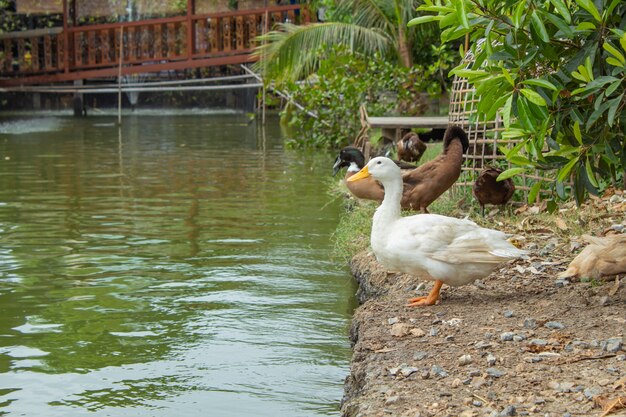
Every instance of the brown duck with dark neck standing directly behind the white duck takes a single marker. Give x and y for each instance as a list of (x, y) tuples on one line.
[(422, 185)]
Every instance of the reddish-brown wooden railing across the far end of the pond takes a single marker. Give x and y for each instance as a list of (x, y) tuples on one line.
[(167, 43)]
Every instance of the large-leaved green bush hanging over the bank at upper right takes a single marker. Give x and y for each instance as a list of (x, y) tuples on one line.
[(556, 71)]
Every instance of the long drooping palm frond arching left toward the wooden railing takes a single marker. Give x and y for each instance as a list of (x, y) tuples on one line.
[(293, 52)]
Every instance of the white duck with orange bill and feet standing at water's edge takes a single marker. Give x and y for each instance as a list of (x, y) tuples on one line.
[(438, 248)]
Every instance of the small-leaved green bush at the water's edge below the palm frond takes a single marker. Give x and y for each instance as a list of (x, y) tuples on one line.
[(345, 81)]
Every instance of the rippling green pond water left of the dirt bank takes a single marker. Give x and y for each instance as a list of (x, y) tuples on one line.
[(176, 266)]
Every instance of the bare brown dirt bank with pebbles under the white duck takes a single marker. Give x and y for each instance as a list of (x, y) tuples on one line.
[(521, 342)]
